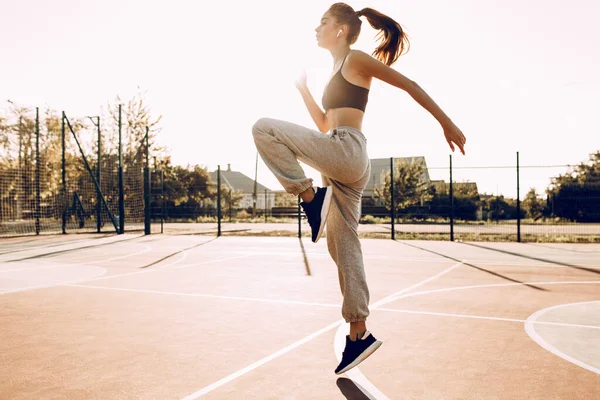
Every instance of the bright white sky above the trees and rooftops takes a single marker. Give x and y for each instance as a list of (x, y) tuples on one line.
[(515, 76)]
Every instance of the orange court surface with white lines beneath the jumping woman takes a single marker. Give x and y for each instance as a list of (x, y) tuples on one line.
[(185, 317)]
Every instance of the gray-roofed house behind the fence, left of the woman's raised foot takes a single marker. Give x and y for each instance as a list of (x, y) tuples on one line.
[(237, 181)]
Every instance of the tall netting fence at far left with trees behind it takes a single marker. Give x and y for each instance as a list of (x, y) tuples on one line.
[(48, 187)]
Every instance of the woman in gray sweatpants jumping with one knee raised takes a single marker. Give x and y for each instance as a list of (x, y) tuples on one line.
[(341, 156)]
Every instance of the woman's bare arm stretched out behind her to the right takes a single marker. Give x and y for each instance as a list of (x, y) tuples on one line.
[(369, 66)]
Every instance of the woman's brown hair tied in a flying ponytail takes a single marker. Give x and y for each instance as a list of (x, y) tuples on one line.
[(394, 41)]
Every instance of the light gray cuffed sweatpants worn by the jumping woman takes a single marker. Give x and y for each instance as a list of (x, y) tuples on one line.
[(341, 157)]
